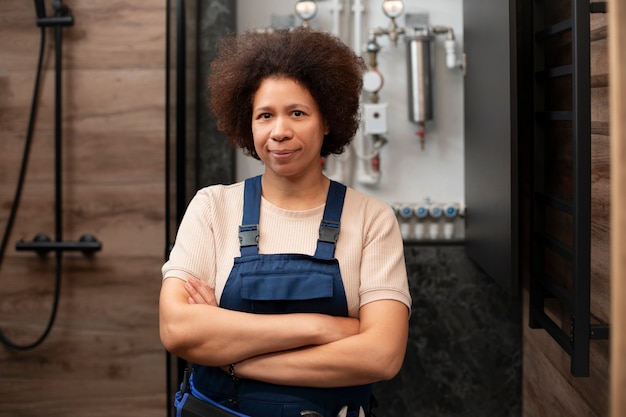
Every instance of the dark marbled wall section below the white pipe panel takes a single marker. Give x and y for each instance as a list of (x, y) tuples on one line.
[(464, 352)]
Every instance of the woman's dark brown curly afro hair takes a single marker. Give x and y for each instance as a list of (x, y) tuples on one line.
[(327, 67)]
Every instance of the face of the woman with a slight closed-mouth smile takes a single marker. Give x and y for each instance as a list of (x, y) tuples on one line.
[(288, 128)]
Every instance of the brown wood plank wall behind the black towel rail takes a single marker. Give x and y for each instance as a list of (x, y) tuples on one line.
[(549, 389)]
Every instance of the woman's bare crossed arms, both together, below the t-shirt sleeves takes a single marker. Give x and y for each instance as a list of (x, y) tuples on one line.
[(303, 349)]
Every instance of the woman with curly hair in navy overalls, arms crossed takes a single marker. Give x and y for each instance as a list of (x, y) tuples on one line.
[(287, 292)]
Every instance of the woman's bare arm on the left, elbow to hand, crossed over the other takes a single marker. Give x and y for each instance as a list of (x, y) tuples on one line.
[(214, 336)]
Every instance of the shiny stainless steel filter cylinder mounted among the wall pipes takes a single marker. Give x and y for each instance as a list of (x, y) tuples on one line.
[(419, 59)]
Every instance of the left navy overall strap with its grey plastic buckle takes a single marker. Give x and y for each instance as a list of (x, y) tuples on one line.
[(249, 229)]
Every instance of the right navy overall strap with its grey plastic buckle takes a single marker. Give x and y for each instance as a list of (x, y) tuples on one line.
[(329, 227)]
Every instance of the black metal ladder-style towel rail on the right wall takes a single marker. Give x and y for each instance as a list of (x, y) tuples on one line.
[(563, 126)]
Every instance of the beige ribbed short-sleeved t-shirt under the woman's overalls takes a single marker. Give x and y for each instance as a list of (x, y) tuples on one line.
[(369, 248)]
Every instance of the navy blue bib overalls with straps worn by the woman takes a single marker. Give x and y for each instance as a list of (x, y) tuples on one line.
[(282, 283)]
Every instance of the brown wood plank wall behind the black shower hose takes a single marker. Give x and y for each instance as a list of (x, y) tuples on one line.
[(103, 357)]
